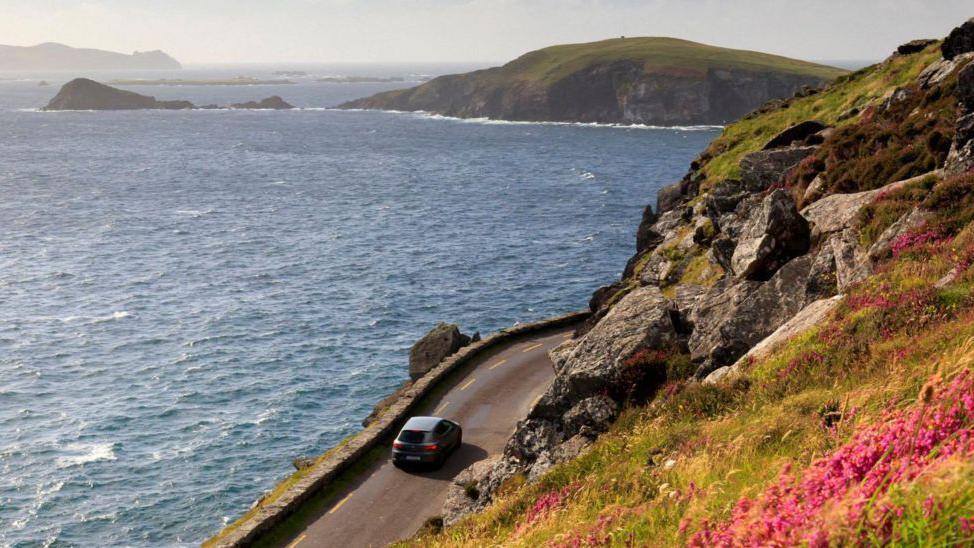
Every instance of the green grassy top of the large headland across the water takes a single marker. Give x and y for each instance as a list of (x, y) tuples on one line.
[(658, 55)]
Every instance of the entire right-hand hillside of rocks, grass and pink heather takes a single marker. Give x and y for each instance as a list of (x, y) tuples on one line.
[(818, 252)]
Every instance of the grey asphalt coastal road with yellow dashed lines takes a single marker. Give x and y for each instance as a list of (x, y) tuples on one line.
[(385, 504)]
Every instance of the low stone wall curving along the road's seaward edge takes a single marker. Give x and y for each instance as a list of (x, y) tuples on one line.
[(382, 429)]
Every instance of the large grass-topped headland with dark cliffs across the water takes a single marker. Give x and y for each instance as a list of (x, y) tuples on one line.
[(656, 81)]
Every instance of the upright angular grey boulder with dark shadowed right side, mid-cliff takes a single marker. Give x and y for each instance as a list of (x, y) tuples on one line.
[(774, 233)]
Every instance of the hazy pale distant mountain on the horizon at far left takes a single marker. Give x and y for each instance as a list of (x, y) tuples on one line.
[(52, 56)]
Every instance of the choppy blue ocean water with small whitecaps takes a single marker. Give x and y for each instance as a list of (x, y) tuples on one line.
[(189, 300)]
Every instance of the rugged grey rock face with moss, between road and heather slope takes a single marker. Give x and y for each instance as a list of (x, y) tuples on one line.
[(780, 215)]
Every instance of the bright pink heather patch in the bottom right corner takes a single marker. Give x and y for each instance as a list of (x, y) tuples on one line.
[(849, 484)]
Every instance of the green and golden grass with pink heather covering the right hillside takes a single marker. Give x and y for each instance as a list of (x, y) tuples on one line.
[(883, 388)]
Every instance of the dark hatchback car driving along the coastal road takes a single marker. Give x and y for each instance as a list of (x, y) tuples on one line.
[(426, 440)]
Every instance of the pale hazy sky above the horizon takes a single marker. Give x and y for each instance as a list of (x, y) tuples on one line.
[(261, 31)]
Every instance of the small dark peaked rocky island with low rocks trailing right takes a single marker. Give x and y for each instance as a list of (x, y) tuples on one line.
[(85, 94)]
